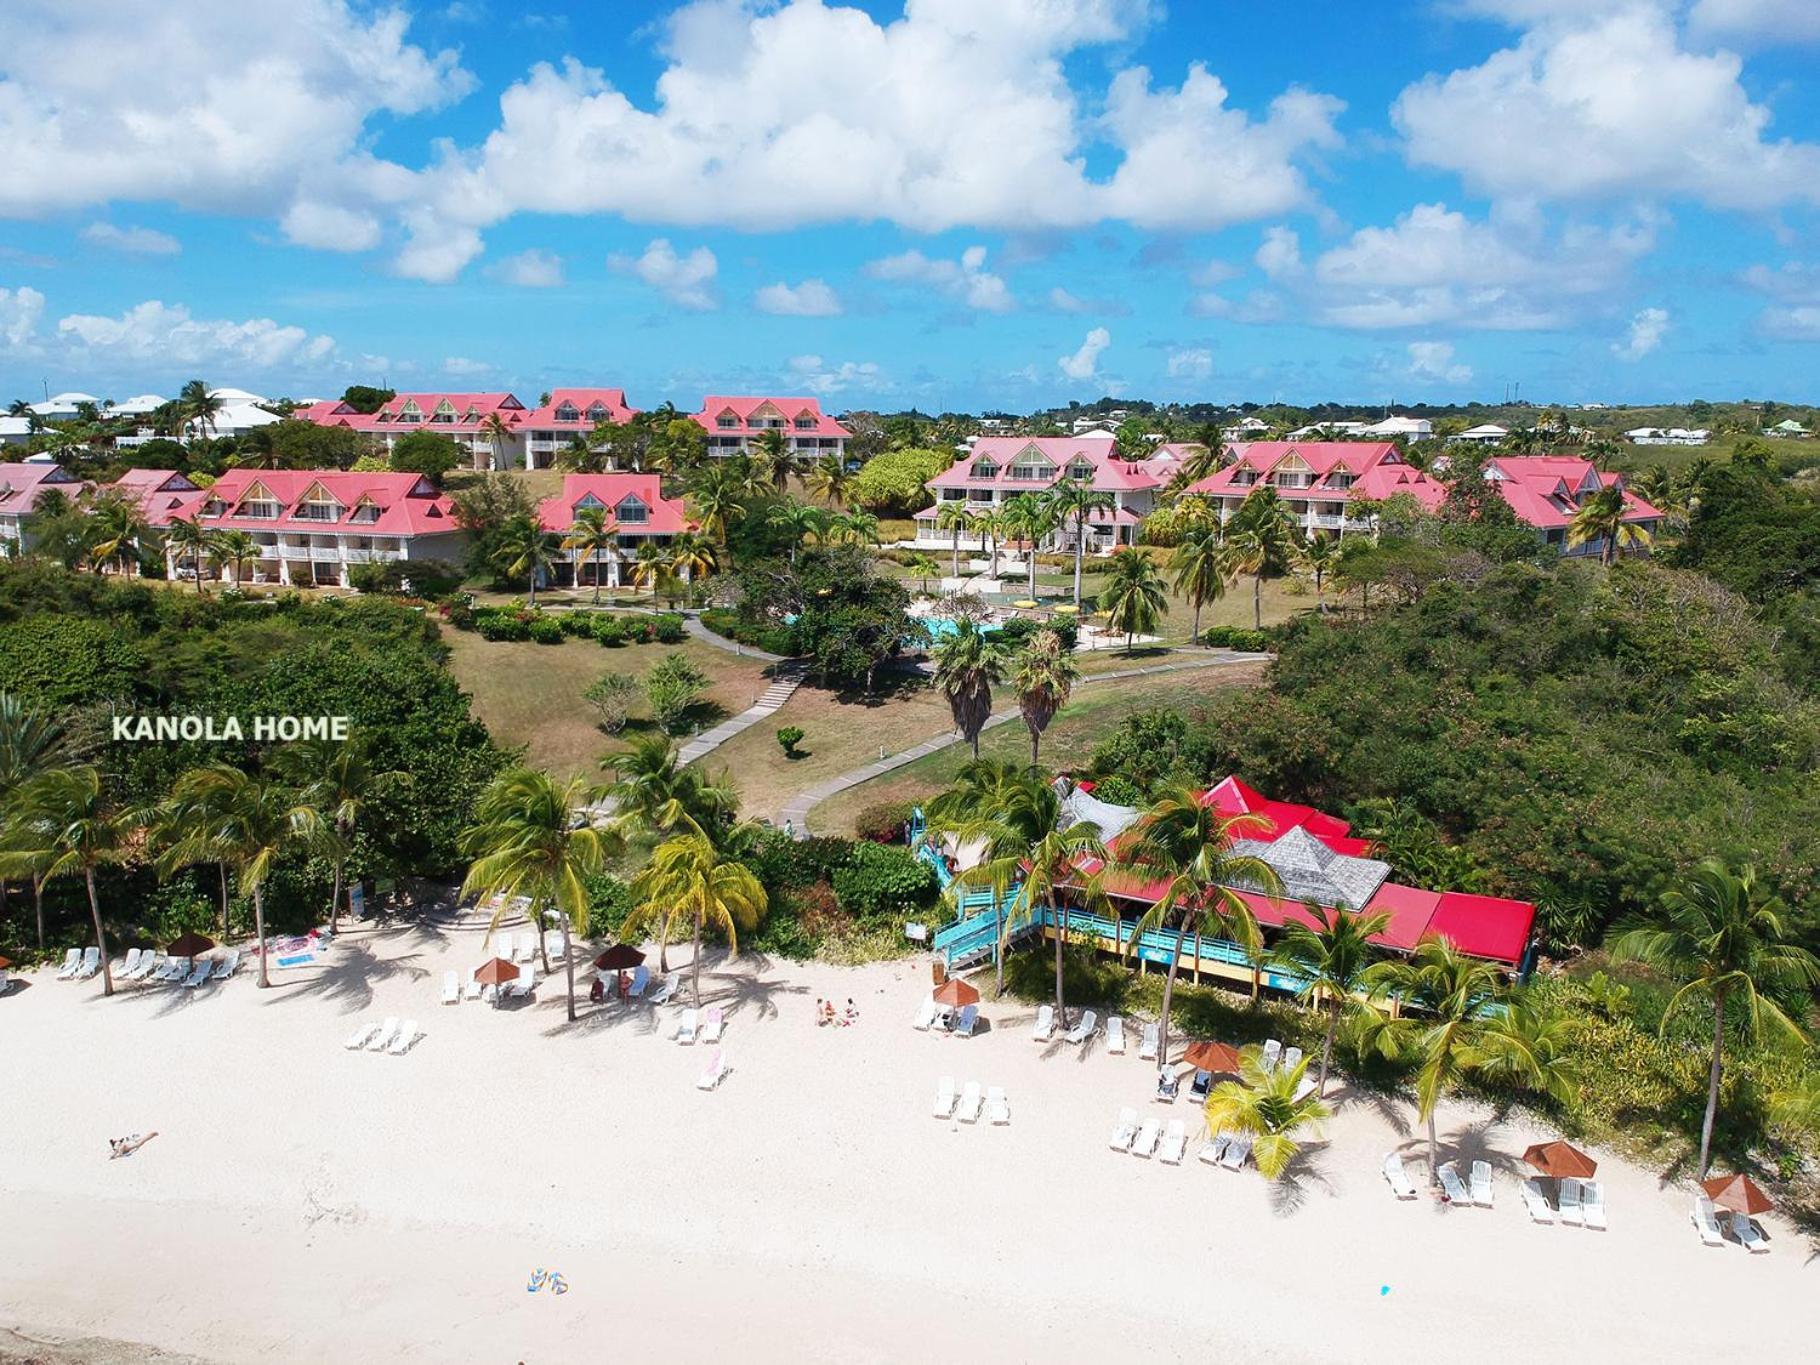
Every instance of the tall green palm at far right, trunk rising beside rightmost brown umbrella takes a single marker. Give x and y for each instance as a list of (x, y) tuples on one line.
[(1726, 938)]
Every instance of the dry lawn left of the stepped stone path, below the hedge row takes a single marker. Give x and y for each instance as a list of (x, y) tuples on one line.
[(531, 694)]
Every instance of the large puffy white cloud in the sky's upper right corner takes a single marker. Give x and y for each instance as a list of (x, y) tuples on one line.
[(1606, 106)]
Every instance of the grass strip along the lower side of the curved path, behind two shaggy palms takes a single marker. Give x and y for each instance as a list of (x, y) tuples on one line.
[(1069, 742)]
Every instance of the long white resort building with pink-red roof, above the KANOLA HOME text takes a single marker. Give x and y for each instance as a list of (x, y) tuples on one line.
[(314, 525)]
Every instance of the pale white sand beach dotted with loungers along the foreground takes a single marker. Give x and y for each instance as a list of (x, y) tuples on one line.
[(303, 1202)]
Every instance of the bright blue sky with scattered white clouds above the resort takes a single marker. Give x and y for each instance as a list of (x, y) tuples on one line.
[(953, 205)]
